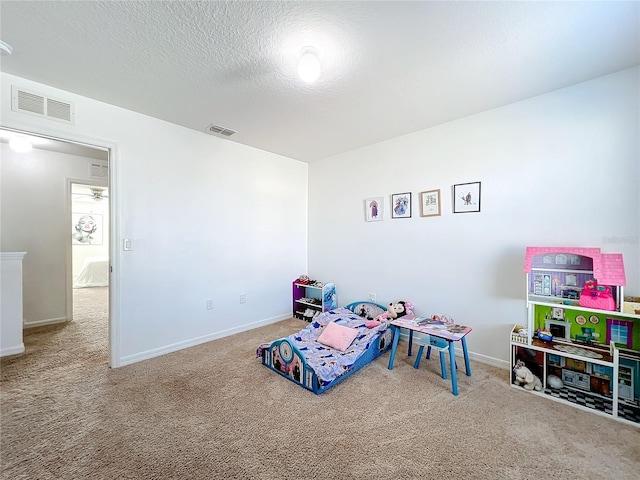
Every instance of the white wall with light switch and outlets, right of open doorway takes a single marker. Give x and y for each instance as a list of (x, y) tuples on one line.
[(208, 218)]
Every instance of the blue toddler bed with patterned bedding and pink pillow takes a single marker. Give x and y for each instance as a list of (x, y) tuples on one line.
[(313, 364)]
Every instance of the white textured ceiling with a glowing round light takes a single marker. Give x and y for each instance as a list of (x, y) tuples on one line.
[(389, 68)]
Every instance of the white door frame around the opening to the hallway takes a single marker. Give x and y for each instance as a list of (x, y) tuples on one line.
[(114, 230)]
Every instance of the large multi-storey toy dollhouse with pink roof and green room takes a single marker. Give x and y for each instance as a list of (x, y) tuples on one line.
[(581, 342)]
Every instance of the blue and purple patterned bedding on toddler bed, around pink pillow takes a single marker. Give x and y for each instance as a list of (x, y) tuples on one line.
[(327, 362)]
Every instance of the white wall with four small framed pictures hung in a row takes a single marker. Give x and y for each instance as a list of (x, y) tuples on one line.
[(559, 169)]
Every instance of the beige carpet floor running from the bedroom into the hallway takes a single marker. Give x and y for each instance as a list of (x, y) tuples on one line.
[(214, 412)]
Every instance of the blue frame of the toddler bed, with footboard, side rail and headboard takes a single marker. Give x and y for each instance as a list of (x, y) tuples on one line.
[(305, 376)]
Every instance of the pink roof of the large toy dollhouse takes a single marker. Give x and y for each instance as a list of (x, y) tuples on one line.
[(608, 268)]
